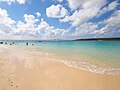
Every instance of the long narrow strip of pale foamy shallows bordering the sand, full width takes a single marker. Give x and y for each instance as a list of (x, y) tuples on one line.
[(82, 65)]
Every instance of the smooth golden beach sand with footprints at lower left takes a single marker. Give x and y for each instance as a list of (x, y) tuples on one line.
[(24, 69)]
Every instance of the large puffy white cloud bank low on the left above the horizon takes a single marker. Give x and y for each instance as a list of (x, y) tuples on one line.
[(31, 28)]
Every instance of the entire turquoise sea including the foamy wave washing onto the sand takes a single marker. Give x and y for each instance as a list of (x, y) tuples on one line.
[(95, 56)]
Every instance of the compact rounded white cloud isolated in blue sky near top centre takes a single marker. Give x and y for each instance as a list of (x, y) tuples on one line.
[(56, 11)]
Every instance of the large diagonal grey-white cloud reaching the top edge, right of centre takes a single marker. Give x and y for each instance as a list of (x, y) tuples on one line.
[(89, 10)]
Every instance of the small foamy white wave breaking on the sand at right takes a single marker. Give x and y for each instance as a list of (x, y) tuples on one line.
[(92, 68)]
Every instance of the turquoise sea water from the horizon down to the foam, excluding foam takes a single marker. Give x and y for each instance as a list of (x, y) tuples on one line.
[(102, 51)]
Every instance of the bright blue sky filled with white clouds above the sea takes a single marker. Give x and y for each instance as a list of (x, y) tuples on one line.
[(59, 19)]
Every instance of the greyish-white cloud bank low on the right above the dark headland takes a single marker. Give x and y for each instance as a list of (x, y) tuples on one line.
[(109, 27)]
